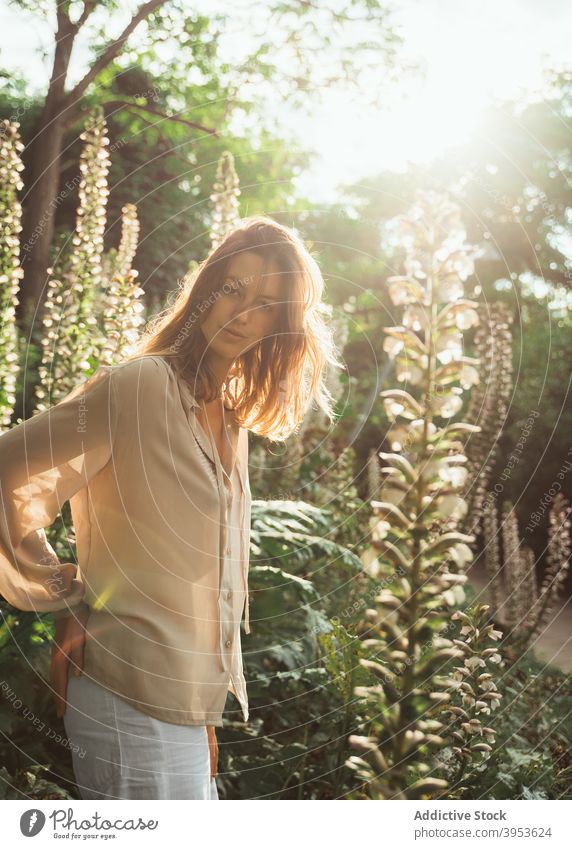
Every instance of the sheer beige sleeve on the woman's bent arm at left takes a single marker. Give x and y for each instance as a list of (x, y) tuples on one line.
[(44, 461)]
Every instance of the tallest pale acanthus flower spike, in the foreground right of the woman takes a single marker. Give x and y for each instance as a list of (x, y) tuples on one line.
[(417, 517)]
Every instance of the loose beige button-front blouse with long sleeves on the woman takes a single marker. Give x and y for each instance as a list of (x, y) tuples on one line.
[(162, 532)]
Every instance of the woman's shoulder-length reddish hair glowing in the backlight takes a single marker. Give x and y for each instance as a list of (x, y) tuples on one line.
[(272, 384)]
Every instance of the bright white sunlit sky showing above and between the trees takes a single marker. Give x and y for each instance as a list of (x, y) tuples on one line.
[(472, 51)]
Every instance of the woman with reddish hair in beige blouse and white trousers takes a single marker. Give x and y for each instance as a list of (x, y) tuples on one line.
[(153, 456)]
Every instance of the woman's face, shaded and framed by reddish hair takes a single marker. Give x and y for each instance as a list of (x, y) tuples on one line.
[(247, 306)]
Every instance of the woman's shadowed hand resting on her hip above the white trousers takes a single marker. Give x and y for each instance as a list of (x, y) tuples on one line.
[(67, 653)]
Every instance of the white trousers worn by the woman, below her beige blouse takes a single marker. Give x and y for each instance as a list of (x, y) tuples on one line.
[(119, 752)]
